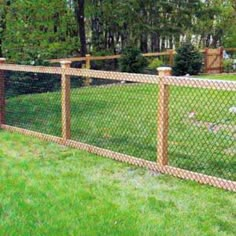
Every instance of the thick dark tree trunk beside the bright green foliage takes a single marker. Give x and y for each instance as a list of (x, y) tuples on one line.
[(79, 11)]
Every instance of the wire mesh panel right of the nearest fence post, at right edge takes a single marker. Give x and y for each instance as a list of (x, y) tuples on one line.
[(202, 131)]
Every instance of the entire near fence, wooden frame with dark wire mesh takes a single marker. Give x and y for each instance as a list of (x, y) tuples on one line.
[(182, 126)]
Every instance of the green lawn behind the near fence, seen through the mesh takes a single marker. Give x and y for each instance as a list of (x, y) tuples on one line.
[(124, 119)]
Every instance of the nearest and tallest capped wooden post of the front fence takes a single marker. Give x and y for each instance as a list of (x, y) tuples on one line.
[(163, 116)]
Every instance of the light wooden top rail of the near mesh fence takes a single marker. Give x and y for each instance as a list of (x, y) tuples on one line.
[(121, 76)]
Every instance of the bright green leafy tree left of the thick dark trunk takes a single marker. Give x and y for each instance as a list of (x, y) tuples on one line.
[(38, 30)]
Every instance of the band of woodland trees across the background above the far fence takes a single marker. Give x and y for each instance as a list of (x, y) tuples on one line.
[(31, 31)]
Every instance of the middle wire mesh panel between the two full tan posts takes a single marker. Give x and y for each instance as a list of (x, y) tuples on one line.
[(117, 116)]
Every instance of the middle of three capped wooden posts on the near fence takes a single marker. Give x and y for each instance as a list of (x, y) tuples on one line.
[(65, 102)]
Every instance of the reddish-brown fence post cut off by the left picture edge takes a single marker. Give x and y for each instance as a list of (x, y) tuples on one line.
[(2, 94)]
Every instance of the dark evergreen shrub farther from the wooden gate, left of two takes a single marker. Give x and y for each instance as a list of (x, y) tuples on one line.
[(132, 61)]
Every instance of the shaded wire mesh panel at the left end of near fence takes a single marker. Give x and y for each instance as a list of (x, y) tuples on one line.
[(33, 101)]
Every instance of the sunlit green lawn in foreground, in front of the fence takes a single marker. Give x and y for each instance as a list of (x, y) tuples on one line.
[(48, 189)]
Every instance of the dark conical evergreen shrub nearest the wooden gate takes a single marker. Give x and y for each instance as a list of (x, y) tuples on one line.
[(187, 61)]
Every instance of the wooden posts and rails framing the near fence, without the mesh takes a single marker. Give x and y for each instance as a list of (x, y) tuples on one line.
[(164, 82)]
